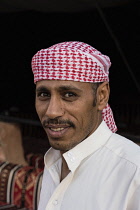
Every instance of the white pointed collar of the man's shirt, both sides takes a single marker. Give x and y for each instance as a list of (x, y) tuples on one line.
[(77, 154)]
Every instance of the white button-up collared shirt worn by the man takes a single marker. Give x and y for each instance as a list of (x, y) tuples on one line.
[(104, 175)]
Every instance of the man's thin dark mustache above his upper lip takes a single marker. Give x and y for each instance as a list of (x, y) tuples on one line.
[(57, 122)]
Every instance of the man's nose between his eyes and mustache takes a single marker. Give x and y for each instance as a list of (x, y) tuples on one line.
[(54, 108)]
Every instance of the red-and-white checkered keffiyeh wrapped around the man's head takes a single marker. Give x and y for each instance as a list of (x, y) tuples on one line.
[(76, 61)]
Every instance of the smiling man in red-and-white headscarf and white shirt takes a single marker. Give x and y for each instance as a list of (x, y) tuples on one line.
[(88, 166)]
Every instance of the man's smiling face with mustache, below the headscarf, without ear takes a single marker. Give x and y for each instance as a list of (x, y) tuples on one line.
[(66, 111)]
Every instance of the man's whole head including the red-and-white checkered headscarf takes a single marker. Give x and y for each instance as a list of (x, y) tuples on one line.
[(69, 102)]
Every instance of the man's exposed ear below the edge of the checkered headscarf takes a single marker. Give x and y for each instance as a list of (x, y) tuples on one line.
[(103, 92)]
